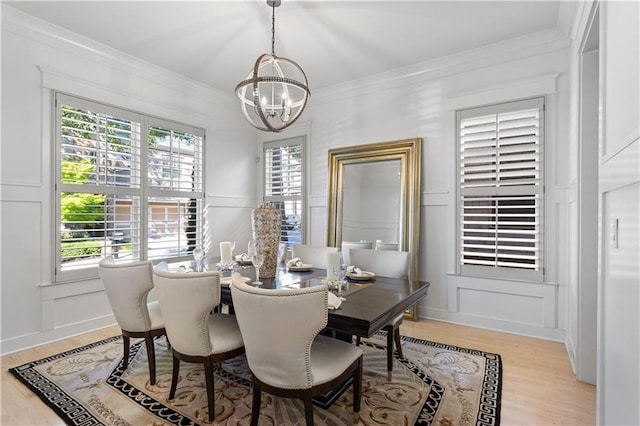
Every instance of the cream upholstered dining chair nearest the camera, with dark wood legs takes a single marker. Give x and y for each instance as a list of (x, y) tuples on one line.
[(286, 355)]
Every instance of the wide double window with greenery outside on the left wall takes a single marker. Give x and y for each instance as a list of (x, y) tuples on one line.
[(128, 185)]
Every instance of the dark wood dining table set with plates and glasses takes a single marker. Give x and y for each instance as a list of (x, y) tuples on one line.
[(368, 305)]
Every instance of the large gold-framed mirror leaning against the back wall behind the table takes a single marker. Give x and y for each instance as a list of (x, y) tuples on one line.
[(374, 194)]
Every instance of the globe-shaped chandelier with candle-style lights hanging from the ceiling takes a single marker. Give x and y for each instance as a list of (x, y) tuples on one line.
[(276, 91)]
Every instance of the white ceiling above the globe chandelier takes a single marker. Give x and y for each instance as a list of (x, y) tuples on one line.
[(217, 42)]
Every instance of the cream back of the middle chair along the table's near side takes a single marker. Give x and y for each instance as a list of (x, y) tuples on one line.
[(186, 301)]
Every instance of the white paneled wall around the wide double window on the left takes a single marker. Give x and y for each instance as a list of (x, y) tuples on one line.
[(37, 59)]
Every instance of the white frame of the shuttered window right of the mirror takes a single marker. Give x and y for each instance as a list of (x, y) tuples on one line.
[(498, 272)]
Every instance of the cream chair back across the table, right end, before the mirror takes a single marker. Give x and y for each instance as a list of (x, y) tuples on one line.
[(392, 264)]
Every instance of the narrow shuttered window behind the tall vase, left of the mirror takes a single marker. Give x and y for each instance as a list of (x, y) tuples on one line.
[(284, 186)]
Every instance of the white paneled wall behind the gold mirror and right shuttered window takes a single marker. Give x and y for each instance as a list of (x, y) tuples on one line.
[(420, 101)]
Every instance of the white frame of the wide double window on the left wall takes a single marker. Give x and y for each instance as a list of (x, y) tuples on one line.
[(141, 191)]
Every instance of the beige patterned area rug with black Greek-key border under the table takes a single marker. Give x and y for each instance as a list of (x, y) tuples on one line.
[(435, 384)]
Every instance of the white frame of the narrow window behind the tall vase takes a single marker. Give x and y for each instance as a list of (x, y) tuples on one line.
[(301, 141)]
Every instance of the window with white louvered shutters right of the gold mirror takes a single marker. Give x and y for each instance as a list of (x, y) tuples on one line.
[(501, 190)]
